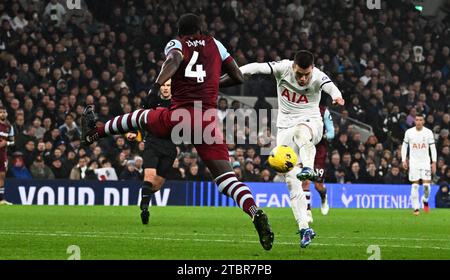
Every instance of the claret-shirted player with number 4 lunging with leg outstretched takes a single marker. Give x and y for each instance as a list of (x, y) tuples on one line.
[(194, 63)]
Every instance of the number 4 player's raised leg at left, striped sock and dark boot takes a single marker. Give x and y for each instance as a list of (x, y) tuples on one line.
[(122, 124)]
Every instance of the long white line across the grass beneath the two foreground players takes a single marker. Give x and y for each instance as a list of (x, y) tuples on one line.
[(211, 240)]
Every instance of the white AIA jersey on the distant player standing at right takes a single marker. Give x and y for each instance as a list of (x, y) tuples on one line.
[(419, 143)]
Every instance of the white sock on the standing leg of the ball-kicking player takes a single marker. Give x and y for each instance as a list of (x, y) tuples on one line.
[(298, 198)]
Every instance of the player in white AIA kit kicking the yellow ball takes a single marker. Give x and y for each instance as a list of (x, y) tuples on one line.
[(299, 123)]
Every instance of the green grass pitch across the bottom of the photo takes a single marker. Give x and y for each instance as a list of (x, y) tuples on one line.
[(105, 232)]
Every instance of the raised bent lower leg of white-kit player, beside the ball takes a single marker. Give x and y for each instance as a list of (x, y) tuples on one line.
[(303, 139)]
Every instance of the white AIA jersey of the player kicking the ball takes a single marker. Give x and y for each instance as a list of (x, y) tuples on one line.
[(295, 102)]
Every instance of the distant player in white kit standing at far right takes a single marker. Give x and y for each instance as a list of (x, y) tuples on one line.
[(420, 141)]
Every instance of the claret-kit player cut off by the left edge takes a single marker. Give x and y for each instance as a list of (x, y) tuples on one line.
[(6, 139)]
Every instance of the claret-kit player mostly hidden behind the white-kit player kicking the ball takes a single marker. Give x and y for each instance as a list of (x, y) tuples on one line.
[(319, 165)]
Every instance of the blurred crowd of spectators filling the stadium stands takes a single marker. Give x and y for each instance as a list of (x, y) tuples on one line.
[(54, 61)]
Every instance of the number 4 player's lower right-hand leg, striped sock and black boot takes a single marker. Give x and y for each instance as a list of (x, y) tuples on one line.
[(229, 185)]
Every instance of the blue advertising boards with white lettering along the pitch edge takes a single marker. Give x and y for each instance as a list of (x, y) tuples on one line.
[(67, 192)]
